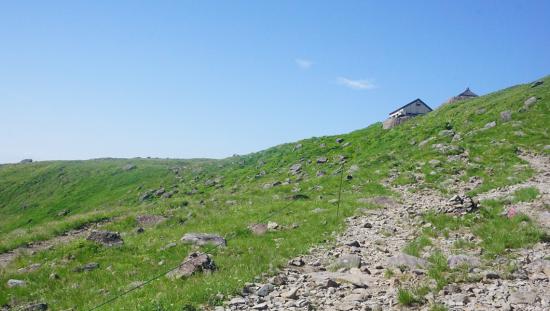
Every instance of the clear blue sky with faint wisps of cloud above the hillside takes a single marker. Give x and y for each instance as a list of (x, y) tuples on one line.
[(180, 79)]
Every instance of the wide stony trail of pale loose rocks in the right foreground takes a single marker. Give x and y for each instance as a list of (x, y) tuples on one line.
[(365, 267)]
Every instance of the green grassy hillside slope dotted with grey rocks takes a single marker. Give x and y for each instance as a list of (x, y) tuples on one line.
[(96, 189)]
